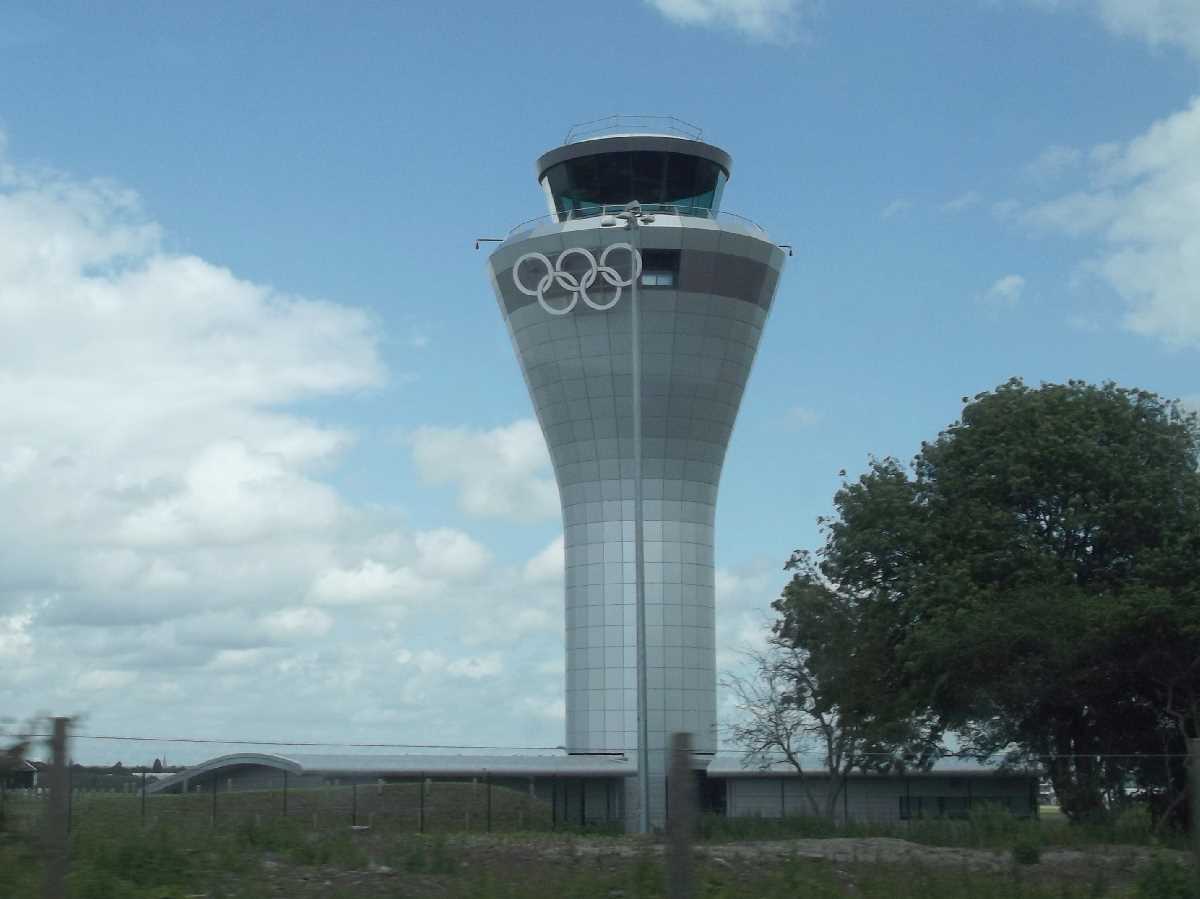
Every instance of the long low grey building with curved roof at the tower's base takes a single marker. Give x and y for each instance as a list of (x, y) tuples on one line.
[(591, 790)]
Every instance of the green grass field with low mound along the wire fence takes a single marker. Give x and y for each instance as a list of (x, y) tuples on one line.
[(316, 853)]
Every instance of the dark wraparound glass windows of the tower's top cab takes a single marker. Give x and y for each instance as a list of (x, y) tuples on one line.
[(662, 182)]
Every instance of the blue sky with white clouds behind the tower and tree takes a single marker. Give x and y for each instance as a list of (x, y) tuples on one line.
[(268, 469)]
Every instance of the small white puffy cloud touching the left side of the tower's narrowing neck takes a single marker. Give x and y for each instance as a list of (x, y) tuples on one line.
[(501, 474)]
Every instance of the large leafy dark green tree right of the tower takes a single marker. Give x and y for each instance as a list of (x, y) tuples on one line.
[(1033, 582)]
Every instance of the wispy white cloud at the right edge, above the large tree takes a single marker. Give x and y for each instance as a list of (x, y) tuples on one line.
[(1143, 208)]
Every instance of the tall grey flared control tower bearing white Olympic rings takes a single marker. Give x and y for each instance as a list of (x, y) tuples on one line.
[(635, 309)]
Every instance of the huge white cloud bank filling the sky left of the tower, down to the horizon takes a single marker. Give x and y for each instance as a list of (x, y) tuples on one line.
[(171, 537)]
